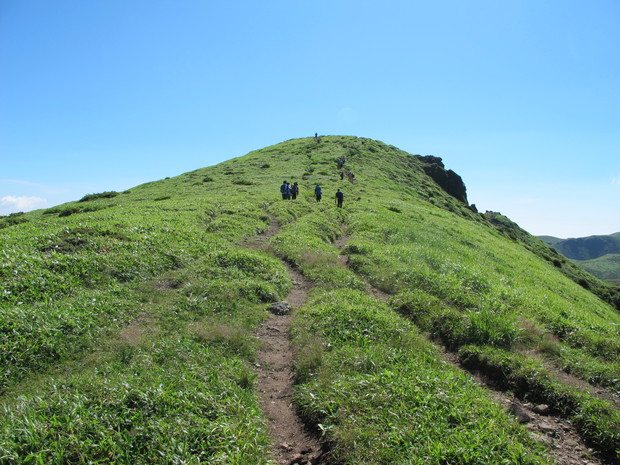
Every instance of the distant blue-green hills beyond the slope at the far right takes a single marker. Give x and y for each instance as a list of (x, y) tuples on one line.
[(598, 255)]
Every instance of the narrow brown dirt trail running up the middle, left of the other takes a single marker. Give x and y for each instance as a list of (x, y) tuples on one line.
[(293, 443)]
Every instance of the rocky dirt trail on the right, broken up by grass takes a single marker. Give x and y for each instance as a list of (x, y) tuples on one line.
[(561, 438)]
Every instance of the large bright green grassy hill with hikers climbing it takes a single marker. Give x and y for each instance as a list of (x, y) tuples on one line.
[(128, 319)]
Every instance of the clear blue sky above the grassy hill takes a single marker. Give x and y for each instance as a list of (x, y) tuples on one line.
[(521, 98)]
